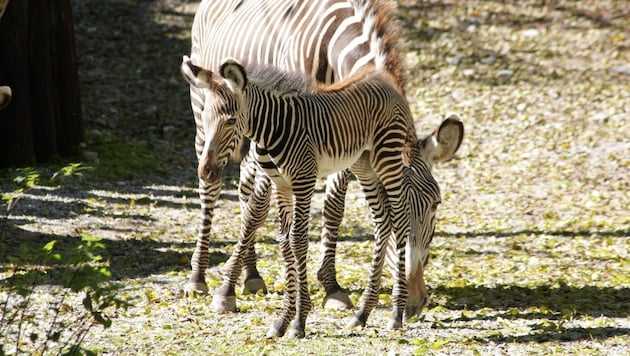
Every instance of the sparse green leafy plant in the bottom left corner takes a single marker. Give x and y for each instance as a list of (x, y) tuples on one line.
[(85, 300)]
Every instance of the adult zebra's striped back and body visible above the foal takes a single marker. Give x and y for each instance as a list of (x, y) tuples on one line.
[(329, 40)]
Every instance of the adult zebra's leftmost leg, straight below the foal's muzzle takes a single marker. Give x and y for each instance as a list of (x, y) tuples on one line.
[(208, 196)]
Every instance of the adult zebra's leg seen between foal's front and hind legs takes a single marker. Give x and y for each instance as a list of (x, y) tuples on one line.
[(334, 204)]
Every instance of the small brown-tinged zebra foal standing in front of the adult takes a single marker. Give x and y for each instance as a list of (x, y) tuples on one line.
[(304, 132)]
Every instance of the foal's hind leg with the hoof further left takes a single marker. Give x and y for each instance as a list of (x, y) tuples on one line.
[(379, 208)]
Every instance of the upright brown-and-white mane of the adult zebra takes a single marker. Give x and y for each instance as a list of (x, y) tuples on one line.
[(380, 20)]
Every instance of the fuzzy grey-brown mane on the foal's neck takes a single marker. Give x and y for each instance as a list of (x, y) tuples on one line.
[(280, 81)]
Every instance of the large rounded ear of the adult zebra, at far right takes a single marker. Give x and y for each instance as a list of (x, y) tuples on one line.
[(442, 144)]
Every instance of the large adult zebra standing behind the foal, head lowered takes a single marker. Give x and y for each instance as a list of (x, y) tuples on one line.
[(329, 40)]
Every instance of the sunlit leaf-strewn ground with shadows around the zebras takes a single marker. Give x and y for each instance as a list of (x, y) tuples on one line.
[(530, 254)]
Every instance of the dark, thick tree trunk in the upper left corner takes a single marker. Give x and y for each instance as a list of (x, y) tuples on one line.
[(38, 62)]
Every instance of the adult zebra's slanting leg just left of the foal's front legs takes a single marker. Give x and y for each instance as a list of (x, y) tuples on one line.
[(253, 216)]
